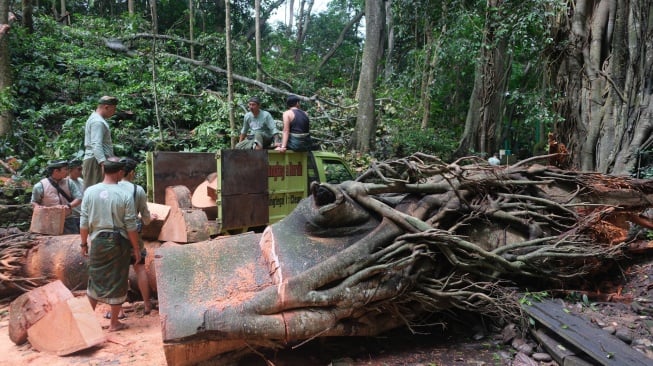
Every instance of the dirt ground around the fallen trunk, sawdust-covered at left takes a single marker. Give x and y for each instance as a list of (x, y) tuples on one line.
[(141, 343)]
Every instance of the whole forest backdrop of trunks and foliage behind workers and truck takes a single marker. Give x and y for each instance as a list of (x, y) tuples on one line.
[(456, 78)]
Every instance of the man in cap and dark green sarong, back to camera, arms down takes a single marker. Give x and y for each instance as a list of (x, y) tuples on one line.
[(108, 231)]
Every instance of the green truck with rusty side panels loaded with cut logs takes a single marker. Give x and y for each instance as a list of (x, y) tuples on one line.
[(252, 188)]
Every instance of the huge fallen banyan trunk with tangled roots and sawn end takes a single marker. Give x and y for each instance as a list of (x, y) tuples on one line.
[(410, 239)]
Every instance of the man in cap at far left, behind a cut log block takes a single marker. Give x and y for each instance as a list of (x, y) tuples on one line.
[(54, 190)]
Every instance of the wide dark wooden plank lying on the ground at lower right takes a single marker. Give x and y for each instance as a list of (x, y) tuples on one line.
[(602, 347)]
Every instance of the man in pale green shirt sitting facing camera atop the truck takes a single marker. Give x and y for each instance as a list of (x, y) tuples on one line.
[(259, 129)]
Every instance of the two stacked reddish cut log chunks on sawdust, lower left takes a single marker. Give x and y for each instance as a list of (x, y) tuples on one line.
[(41, 314)]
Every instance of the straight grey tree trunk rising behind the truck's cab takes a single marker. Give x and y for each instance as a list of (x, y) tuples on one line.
[(362, 140)]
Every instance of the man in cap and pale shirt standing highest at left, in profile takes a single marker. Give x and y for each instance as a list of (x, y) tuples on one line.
[(97, 140)]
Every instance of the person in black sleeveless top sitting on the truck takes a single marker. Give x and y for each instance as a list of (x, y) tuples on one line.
[(296, 127)]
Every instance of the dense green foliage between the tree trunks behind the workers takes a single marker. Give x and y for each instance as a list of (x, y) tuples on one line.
[(59, 72)]
